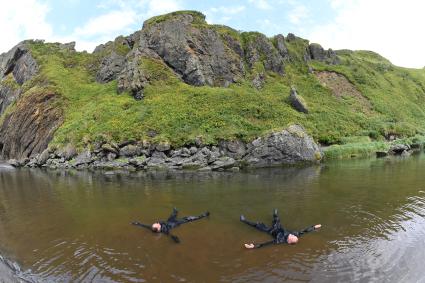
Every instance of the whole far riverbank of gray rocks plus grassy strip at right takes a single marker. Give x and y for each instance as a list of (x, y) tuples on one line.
[(289, 147)]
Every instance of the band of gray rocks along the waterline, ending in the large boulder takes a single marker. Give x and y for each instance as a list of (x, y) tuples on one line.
[(290, 146)]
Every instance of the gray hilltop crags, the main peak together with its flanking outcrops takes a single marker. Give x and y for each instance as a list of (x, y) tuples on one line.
[(194, 51)]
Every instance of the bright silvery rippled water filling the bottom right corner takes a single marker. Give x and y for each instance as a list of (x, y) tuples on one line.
[(398, 258)]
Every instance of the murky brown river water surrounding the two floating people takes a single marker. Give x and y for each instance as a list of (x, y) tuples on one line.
[(75, 226)]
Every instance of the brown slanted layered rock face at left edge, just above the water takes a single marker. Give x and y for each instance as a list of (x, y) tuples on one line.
[(29, 129)]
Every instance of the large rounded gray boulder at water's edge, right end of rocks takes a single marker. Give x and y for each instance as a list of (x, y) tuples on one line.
[(287, 147)]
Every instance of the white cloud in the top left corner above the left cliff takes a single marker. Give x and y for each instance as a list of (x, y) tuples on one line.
[(25, 19)]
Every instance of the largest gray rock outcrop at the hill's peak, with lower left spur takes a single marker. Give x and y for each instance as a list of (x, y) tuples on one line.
[(196, 54)]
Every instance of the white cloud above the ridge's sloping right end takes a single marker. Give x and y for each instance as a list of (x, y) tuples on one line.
[(390, 27)]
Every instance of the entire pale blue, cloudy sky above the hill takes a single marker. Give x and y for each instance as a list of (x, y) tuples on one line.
[(392, 28)]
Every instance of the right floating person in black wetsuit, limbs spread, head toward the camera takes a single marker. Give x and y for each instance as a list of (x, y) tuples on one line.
[(280, 234)]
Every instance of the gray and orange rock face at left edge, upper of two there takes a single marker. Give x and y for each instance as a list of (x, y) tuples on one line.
[(16, 67)]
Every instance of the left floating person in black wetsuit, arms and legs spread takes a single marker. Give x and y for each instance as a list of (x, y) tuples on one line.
[(171, 223)]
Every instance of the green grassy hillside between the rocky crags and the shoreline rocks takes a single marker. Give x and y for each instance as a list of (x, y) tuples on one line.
[(178, 113)]
